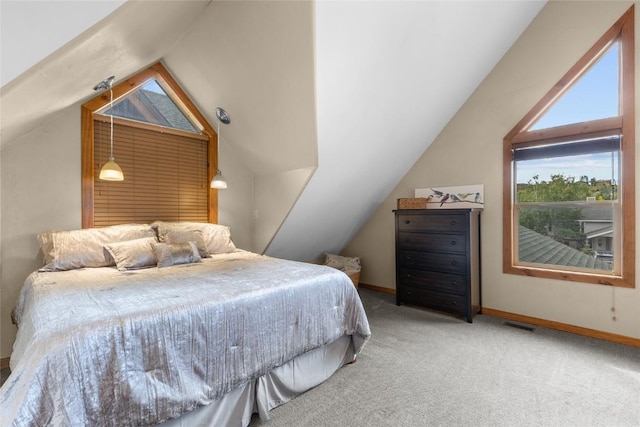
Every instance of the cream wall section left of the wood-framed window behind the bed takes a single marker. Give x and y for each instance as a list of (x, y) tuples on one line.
[(40, 186)]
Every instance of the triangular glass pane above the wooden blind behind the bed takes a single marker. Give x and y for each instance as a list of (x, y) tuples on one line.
[(154, 103)]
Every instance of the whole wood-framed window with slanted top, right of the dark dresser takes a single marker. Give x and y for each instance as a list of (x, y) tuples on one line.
[(569, 172)]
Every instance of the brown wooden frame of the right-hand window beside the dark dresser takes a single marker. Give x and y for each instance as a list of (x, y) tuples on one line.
[(623, 31)]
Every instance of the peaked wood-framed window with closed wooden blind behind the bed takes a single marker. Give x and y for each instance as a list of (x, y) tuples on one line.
[(164, 147)]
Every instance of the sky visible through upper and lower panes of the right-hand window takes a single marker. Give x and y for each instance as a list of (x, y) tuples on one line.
[(593, 96)]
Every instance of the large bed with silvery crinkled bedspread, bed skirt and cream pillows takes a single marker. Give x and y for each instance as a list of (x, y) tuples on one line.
[(171, 324)]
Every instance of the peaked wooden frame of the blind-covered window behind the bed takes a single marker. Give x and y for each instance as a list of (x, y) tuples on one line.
[(91, 108)]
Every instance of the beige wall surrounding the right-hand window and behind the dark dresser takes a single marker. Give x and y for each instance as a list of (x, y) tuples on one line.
[(469, 151)]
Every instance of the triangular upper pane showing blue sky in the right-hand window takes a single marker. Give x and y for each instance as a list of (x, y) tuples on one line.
[(595, 95)]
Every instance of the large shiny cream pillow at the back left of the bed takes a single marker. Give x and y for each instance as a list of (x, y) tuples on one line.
[(67, 250)]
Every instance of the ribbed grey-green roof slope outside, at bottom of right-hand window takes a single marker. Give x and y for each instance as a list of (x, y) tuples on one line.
[(539, 249)]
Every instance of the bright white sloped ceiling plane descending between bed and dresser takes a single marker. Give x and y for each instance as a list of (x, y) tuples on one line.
[(389, 76)]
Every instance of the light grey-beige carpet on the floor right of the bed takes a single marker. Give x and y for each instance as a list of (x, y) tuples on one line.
[(426, 369)]
